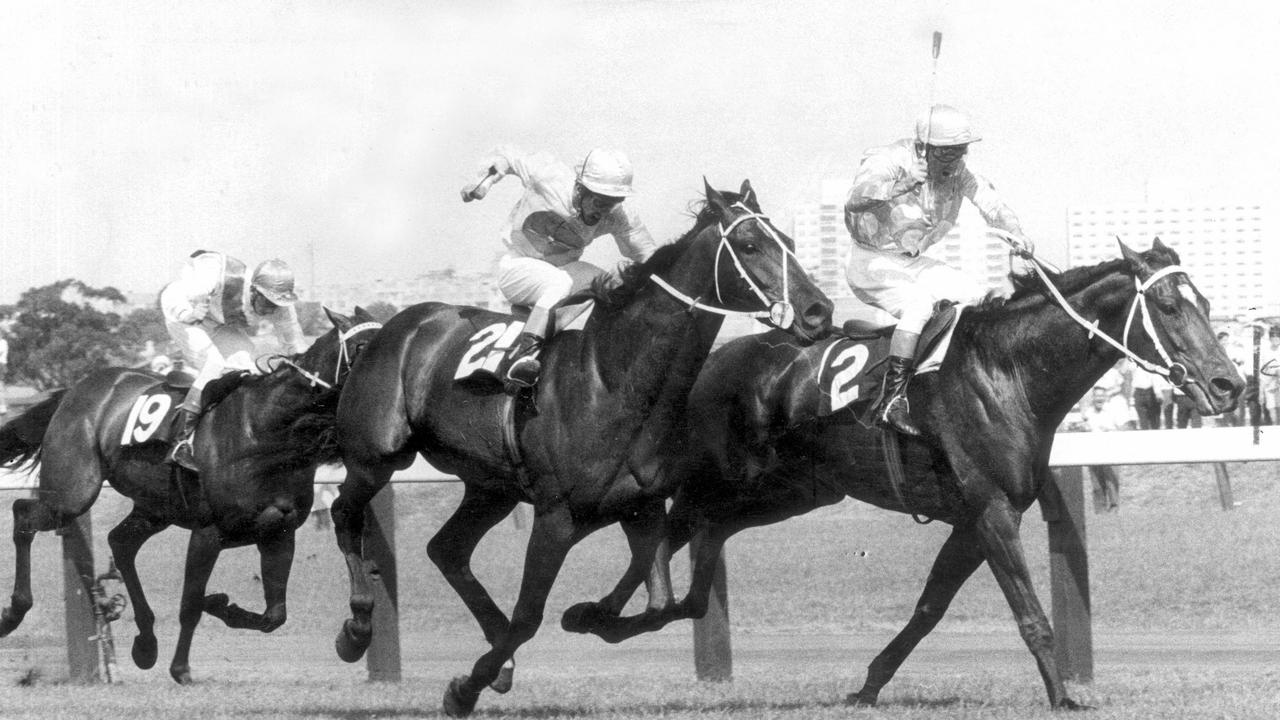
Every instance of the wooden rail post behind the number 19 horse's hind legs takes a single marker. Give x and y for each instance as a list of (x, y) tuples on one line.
[(77, 591)]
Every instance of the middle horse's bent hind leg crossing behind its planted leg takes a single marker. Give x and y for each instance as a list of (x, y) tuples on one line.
[(451, 552)]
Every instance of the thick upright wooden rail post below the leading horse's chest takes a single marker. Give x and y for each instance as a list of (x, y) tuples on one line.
[(1063, 508)]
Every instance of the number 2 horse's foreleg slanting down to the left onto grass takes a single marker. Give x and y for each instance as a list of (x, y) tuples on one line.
[(959, 558)]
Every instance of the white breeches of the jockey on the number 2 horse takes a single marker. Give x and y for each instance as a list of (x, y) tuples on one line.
[(907, 288)]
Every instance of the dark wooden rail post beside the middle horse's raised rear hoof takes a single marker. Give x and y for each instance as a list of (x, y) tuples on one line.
[(385, 654)]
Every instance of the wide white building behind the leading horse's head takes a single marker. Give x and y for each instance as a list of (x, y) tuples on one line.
[(1223, 248)]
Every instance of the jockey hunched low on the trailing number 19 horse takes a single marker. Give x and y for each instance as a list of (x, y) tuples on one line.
[(208, 312)]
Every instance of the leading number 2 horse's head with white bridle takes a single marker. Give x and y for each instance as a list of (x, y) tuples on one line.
[(1169, 327)]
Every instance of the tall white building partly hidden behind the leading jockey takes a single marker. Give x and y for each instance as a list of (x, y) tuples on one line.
[(822, 243)]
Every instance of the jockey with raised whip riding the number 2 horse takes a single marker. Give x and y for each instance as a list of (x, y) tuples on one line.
[(906, 198)]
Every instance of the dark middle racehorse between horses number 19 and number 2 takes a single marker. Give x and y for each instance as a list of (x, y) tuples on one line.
[(584, 446)]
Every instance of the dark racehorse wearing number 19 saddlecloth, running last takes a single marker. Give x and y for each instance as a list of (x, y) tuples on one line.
[(259, 448)]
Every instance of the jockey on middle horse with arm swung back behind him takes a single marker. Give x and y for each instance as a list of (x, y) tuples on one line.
[(560, 213)]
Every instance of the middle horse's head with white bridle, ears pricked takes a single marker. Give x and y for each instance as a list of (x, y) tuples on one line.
[(753, 268)]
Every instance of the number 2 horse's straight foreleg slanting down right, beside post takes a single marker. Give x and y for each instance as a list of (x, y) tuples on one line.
[(1003, 546)]
